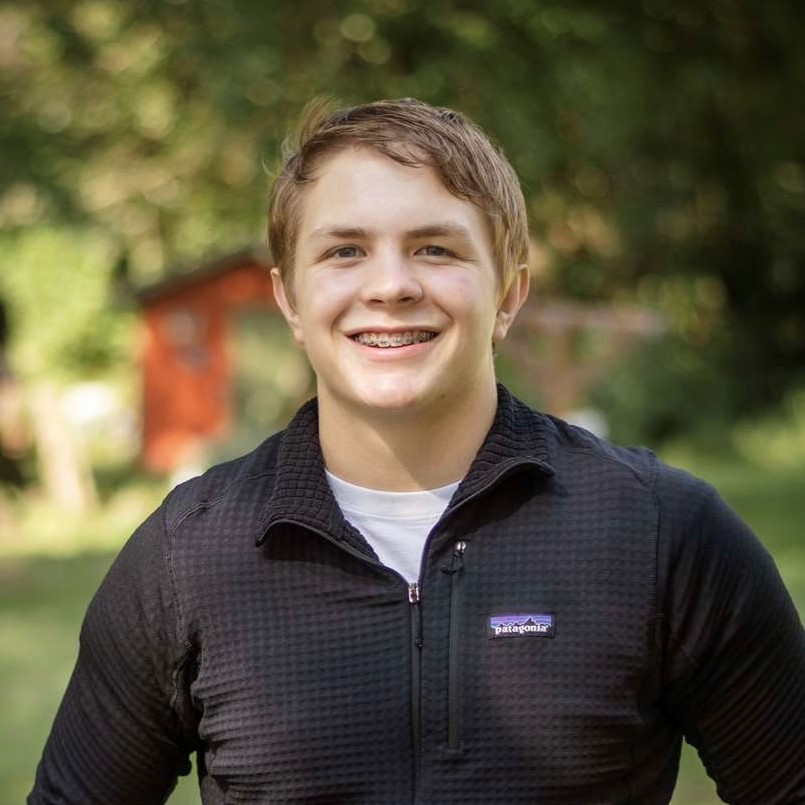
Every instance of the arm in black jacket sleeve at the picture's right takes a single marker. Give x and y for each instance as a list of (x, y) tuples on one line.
[(734, 650)]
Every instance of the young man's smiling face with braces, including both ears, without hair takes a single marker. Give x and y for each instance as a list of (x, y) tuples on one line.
[(395, 290)]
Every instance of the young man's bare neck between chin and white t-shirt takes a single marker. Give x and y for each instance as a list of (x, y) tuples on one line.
[(404, 452)]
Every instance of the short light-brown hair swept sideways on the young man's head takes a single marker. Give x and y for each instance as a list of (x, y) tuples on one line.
[(411, 133)]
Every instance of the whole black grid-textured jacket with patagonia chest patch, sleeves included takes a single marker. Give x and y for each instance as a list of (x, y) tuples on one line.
[(580, 608)]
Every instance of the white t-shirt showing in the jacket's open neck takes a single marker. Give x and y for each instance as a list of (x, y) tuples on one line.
[(395, 524)]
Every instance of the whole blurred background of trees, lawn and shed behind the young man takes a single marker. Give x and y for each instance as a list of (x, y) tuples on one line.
[(661, 146)]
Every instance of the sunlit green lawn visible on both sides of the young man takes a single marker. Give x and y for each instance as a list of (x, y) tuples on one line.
[(43, 597)]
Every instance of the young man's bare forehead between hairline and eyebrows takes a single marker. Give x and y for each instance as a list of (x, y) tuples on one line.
[(362, 187)]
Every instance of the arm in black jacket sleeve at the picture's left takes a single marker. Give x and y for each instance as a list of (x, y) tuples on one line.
[(123, 732)]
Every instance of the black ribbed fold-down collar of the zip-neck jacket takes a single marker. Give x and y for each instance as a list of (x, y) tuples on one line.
[(518, 439)]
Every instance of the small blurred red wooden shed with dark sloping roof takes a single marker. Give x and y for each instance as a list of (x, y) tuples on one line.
[(218, 364)]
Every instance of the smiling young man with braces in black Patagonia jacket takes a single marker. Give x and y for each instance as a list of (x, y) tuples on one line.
[(423, 591)]
